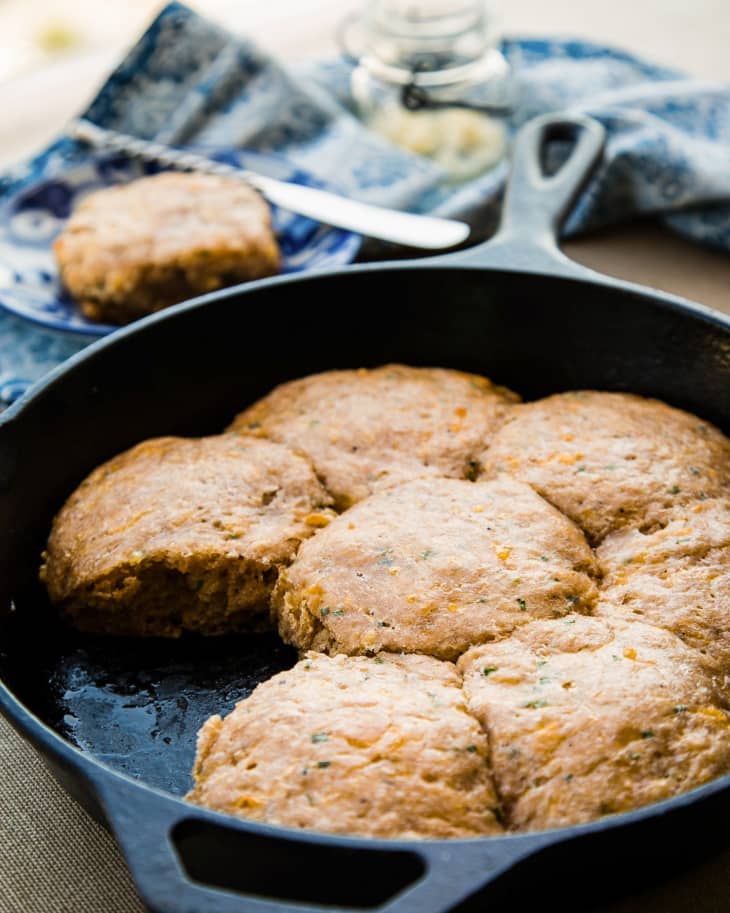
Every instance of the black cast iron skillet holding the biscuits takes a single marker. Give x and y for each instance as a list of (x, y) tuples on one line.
[(516, 310)]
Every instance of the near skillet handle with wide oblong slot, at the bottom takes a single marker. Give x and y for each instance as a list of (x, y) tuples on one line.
[(185, 859)]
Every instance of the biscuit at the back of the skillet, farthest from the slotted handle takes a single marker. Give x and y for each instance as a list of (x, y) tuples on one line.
[(366, 430)]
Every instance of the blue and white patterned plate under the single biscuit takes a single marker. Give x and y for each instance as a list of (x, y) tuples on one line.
[(31, 219)]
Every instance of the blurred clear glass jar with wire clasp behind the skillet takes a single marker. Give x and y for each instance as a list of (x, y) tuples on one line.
[(430, 78)]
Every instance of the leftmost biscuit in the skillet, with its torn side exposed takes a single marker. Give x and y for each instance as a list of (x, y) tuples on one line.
[(181, 534)]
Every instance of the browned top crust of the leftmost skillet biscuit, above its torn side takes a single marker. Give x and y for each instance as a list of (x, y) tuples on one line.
[(173, 498)]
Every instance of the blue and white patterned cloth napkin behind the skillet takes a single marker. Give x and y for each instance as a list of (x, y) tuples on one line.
[(188, 81)]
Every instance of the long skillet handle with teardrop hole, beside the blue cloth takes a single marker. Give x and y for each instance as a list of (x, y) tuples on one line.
[(535, 204)]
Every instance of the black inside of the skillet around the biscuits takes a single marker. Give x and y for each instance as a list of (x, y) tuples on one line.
[(138, 705)]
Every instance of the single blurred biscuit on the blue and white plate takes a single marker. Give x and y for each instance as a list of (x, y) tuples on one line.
[(136, 248)]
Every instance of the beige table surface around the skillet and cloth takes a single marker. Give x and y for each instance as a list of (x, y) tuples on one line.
[(53, 858)]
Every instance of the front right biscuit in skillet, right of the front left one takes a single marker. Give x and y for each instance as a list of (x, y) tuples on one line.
[(588, 718)]
